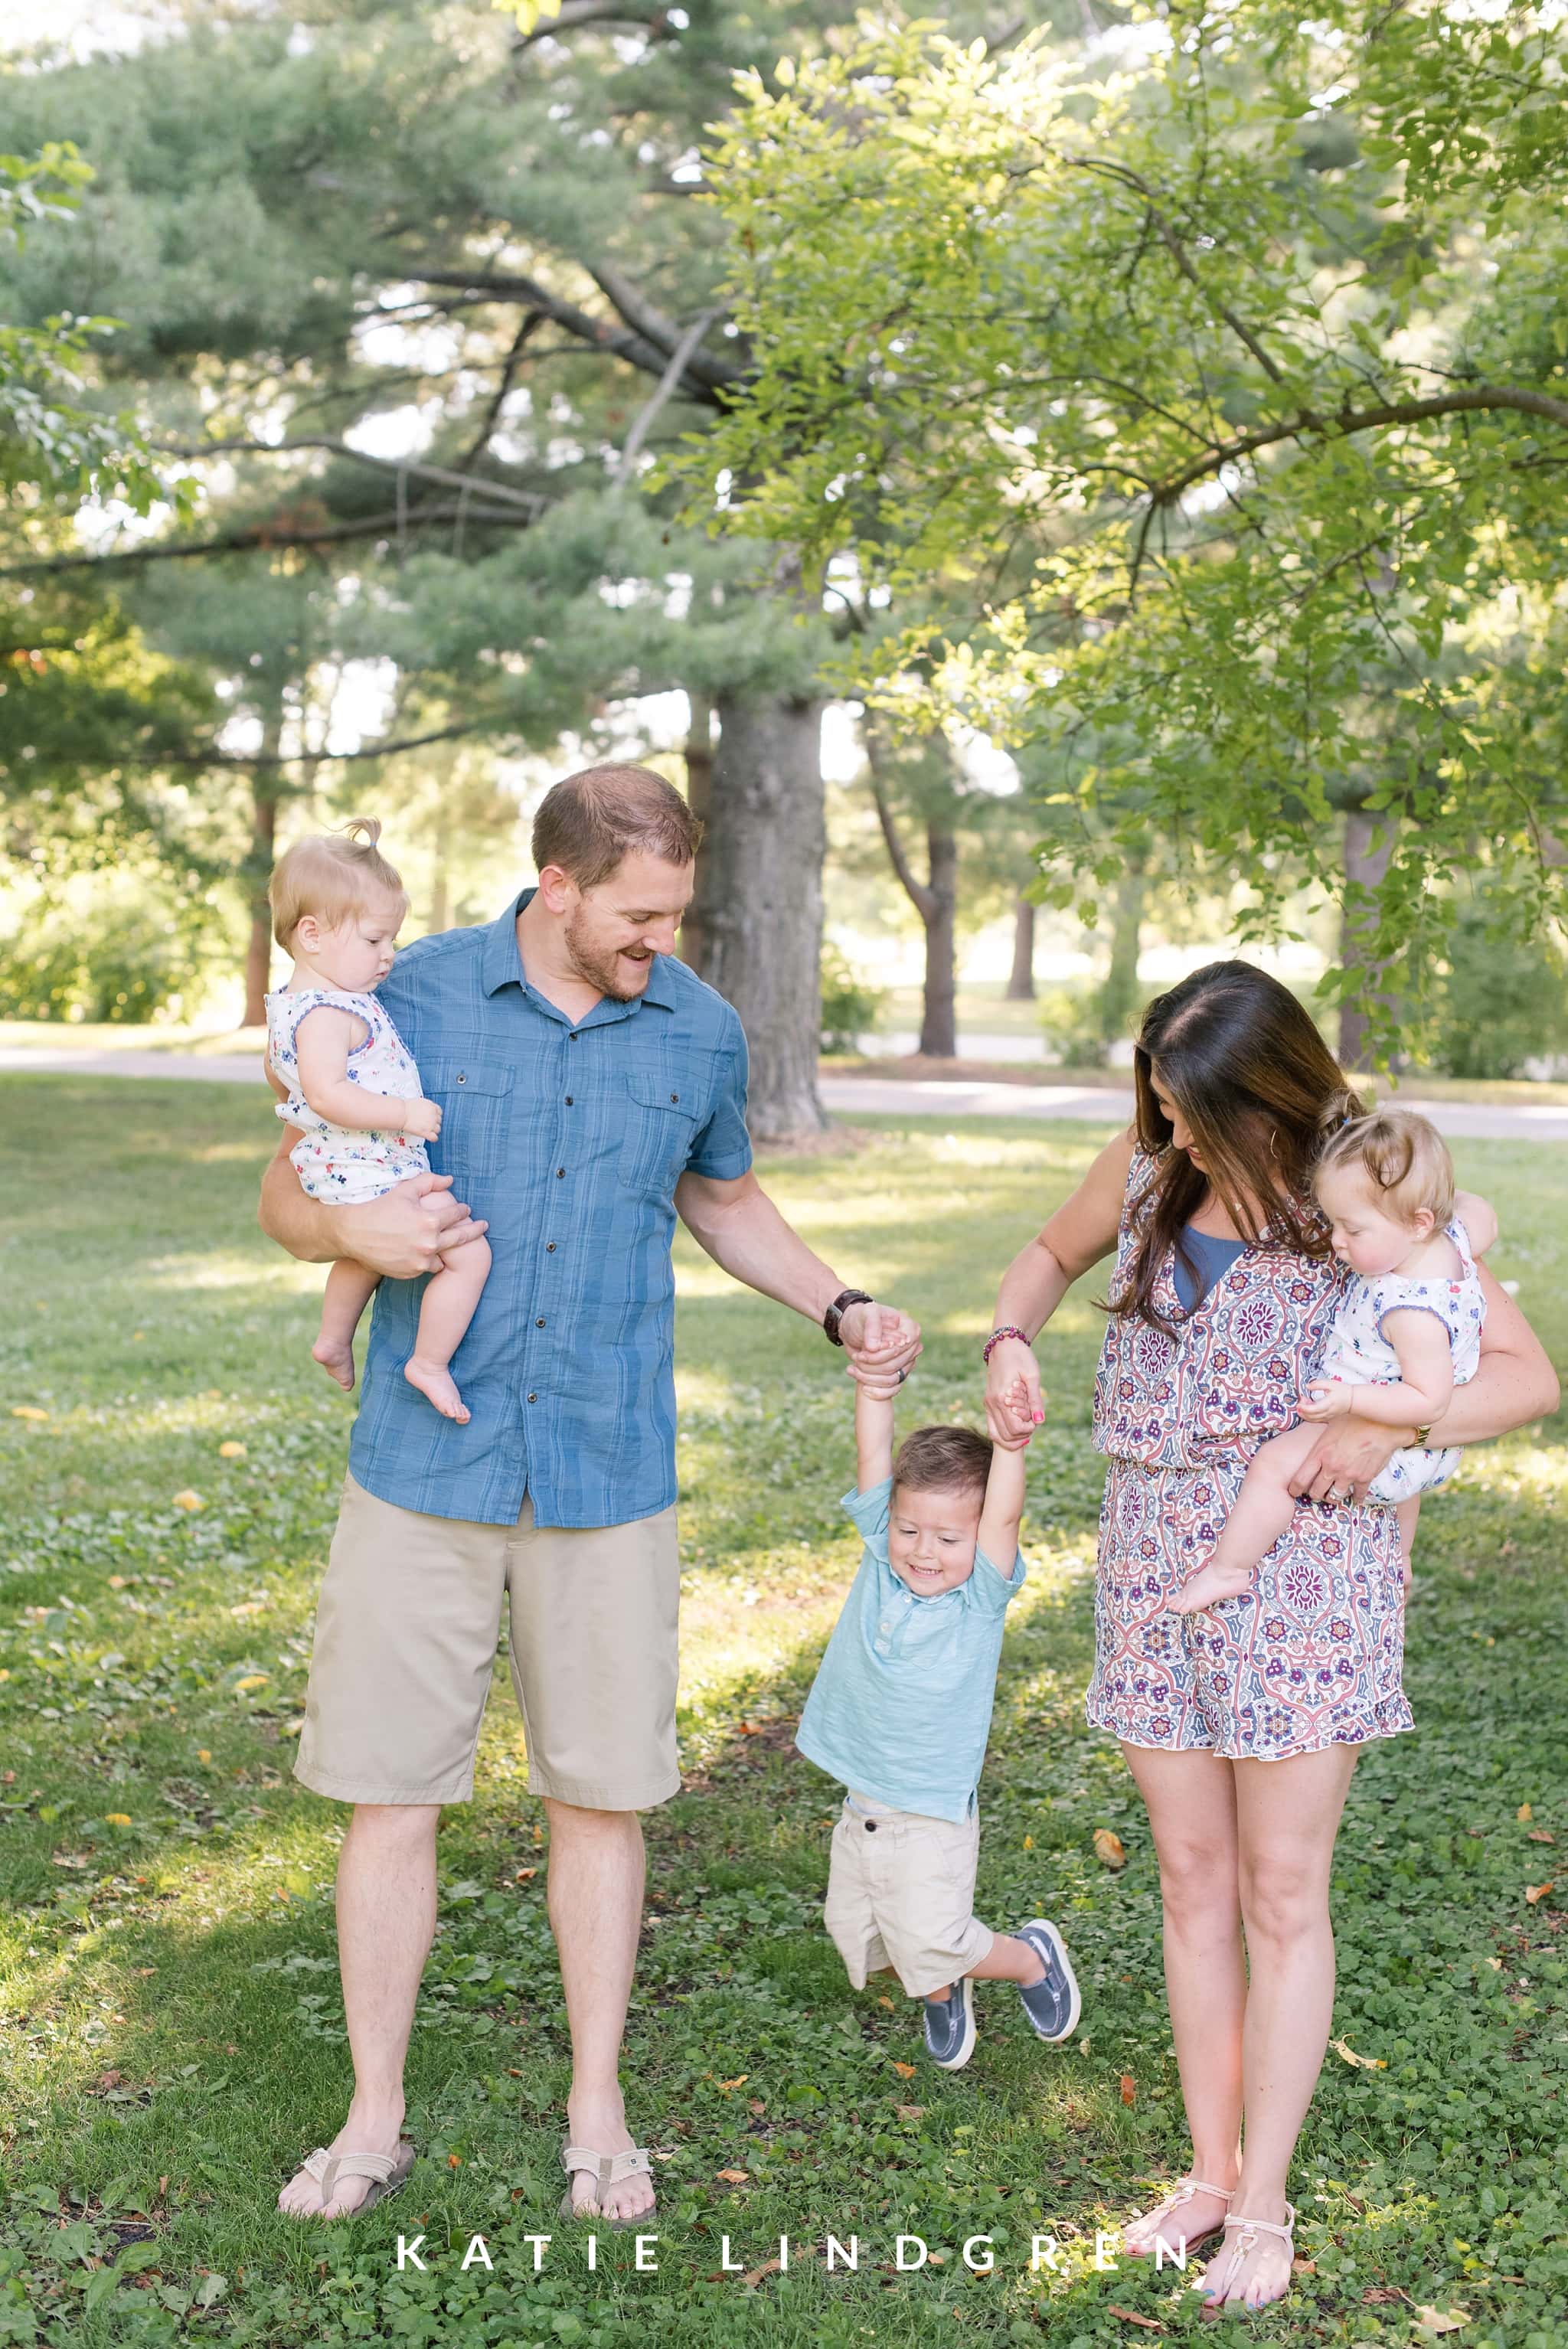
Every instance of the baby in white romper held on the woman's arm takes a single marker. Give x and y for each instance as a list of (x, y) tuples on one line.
[(1407, 1333)]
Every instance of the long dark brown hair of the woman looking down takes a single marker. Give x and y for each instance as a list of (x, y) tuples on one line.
[(1259, 1089)]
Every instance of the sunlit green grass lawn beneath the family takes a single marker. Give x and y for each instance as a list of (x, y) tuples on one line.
[(173, 2035)]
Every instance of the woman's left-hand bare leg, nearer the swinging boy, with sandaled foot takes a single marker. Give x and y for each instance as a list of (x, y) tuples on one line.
[(1194, 1817)]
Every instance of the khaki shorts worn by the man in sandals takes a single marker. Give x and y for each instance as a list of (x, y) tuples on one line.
[(407, 1629)]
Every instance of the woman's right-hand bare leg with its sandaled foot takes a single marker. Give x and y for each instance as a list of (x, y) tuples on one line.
[(1287, 1822)]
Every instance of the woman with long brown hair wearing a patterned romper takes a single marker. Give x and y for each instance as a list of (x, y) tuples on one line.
[(1241, 1725)]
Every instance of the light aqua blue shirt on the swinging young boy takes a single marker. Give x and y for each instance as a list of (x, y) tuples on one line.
[(903, 1702)]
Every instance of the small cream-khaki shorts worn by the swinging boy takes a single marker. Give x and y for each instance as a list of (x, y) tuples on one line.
[(903, 1894)]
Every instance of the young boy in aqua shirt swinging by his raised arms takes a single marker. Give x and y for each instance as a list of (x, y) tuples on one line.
[(900, 1716)]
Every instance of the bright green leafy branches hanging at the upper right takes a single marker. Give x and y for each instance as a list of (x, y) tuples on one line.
[(1224, 389)]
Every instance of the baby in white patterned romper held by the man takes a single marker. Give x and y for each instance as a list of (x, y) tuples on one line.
[(353, 1086)]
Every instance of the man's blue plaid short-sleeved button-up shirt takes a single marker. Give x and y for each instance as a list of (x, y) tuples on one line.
[(569, 1138)]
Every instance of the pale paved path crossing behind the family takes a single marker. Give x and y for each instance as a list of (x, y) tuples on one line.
[(846, 1096)]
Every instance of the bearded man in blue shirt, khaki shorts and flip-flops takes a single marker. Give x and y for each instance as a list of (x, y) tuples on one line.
[(593, 1089)]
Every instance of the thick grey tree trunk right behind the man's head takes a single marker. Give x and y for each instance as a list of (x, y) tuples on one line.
[(759, 901)]
